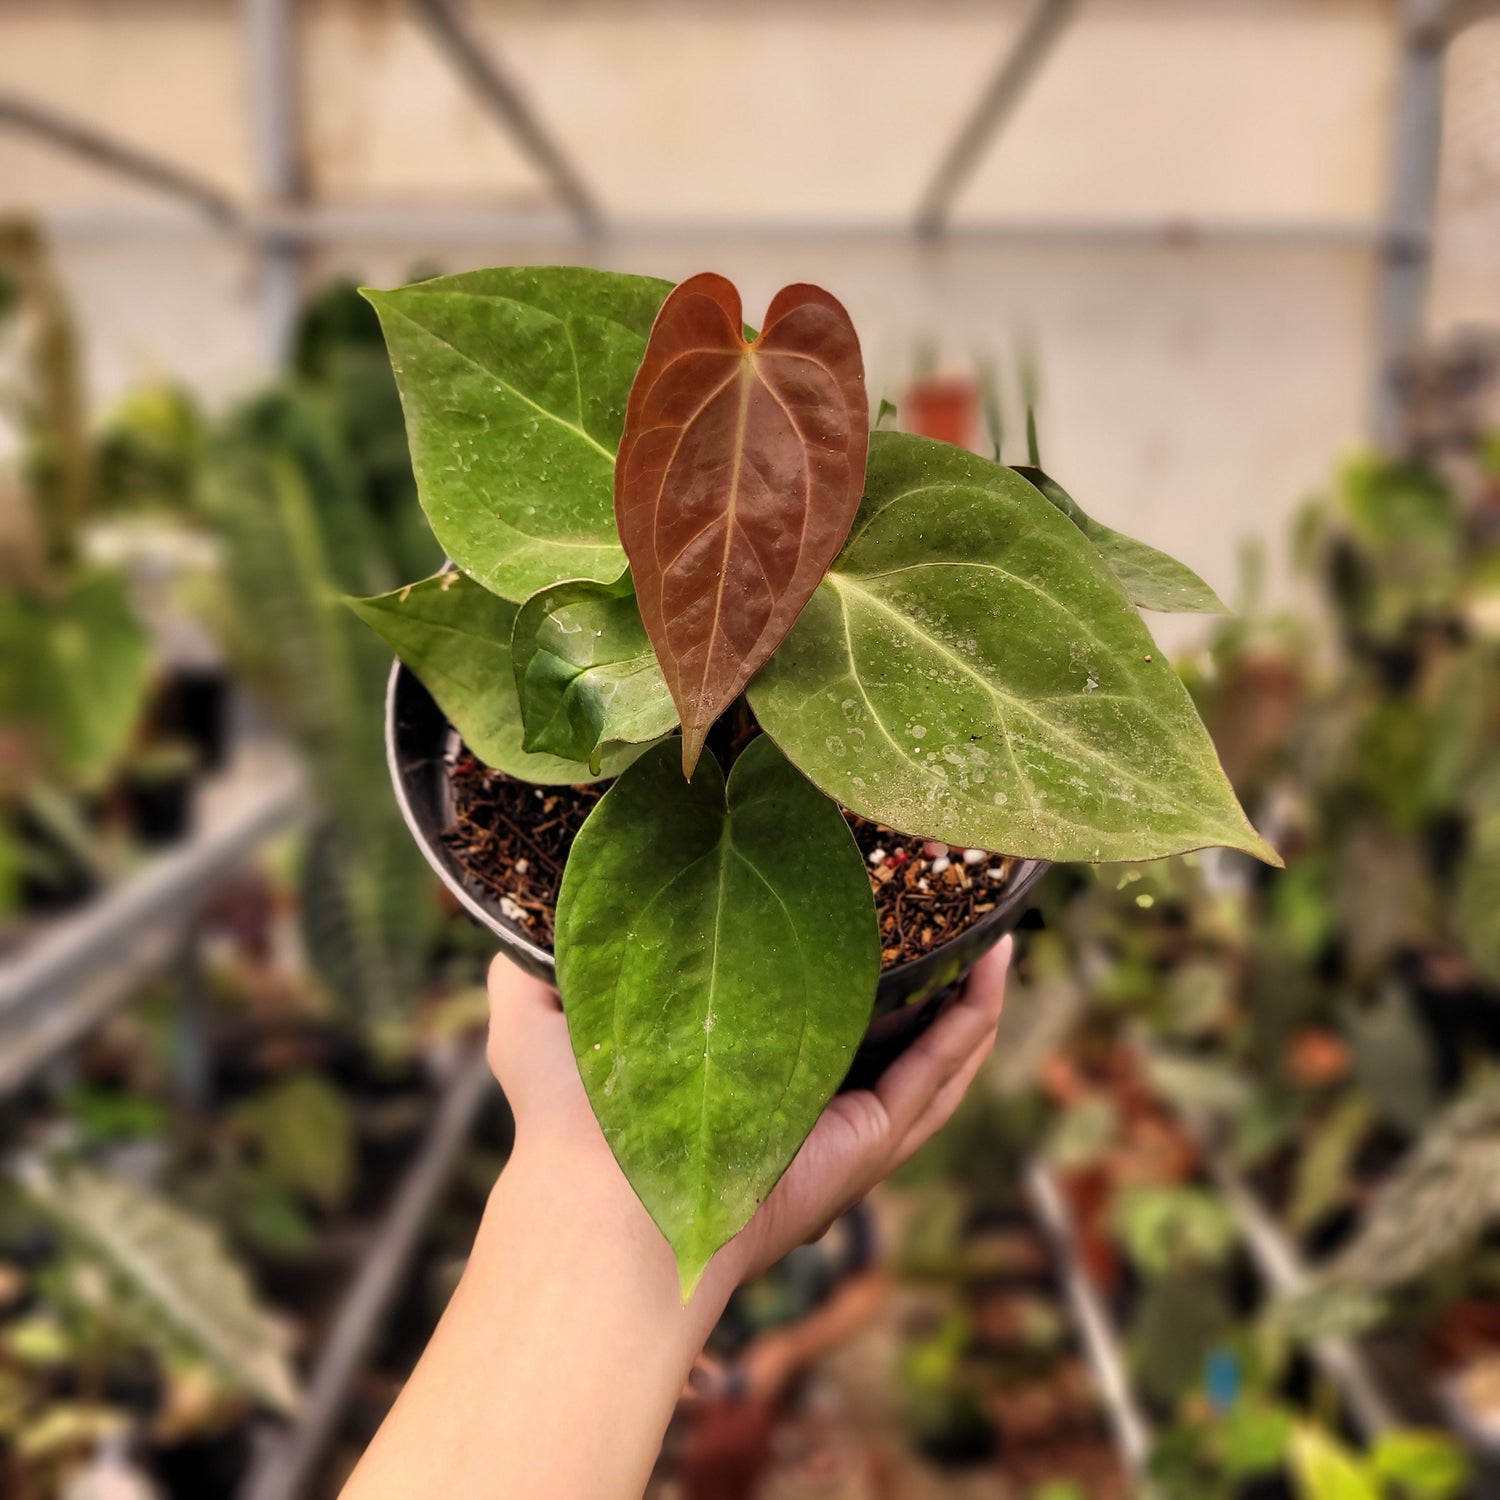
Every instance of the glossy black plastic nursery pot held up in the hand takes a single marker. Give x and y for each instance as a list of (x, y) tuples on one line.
[(421, 748)]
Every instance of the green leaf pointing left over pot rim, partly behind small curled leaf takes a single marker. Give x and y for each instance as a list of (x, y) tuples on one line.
[(457, 638)]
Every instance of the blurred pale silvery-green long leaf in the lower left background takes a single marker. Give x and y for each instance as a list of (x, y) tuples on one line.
[(178, 1264)]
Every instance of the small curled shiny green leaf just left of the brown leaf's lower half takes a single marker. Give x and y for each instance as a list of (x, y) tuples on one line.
[(586, 671)]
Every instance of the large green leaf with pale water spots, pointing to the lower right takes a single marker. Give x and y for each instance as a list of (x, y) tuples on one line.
[(971, 671)]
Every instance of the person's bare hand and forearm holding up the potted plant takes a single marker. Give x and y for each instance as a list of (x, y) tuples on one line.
[(559, 1361)]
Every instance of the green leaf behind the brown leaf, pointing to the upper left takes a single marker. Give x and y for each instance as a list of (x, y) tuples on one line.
[(515, 385)]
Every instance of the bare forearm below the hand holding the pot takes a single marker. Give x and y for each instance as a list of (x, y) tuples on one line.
[(559, 1361)]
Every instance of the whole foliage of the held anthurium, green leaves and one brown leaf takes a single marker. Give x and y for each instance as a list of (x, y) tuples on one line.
[(658, 520)]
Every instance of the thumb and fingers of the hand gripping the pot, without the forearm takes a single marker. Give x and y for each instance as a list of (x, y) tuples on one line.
[(860, 1139)]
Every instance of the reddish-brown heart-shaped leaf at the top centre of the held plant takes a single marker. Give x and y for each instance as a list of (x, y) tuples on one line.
[(740, 473)]
